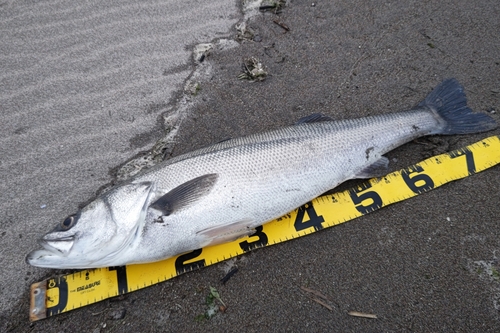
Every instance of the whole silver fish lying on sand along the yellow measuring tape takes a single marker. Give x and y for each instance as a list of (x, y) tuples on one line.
[(224, 191)]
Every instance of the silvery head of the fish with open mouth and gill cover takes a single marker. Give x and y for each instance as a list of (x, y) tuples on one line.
[(99, 234)]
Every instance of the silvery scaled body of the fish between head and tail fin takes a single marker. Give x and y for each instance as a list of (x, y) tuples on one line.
[(273, 173)]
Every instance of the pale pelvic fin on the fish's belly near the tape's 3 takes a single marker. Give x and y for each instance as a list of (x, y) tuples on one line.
[(227, 232)]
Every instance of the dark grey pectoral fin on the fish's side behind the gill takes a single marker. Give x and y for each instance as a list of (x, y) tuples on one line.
[(185, 194)]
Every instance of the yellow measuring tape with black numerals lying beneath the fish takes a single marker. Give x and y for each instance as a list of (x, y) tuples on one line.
[(72, 291)]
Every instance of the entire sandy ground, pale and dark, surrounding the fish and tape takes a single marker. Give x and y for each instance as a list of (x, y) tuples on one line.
[(86, 88)]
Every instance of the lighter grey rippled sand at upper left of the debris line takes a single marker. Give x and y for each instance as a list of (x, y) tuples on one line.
[(83, 87)]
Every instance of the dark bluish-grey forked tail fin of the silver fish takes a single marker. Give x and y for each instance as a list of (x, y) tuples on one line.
[(449, 101)]
